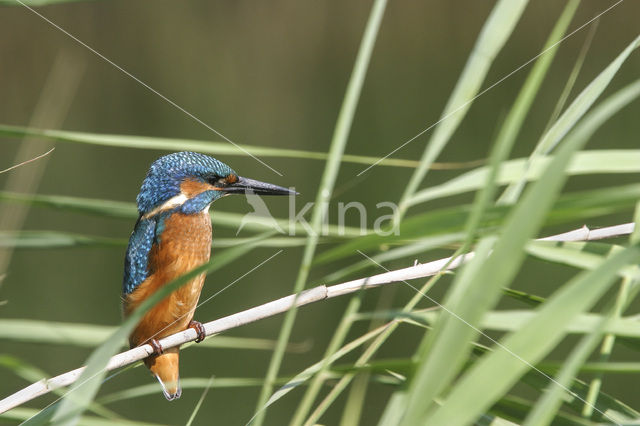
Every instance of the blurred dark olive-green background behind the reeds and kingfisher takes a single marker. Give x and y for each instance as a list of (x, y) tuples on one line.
[(270, 74)]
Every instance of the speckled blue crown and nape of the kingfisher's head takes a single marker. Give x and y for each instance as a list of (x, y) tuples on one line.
[(167, 173)]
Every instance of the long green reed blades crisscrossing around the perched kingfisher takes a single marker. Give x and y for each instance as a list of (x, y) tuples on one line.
[(473, 355)]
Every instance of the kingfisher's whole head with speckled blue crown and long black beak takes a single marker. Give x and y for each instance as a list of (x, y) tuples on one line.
[(190, 182)]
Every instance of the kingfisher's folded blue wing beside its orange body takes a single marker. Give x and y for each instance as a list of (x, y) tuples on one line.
[(137, 257)]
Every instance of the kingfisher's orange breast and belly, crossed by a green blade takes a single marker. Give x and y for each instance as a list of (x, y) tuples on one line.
[(184, 244)]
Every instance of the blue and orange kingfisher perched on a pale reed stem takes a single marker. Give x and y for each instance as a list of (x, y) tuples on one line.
[(171, 237)]
